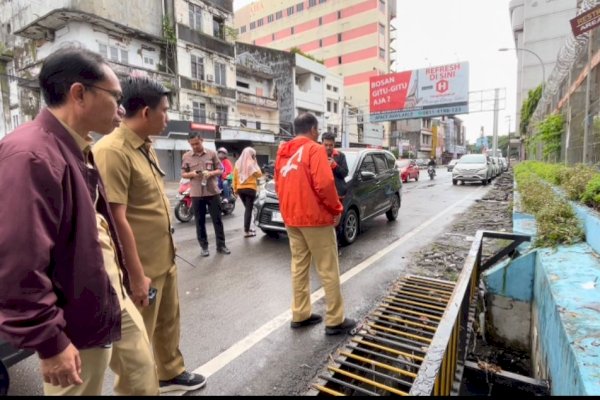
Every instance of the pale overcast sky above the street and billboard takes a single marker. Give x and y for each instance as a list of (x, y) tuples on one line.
[(437, 32)]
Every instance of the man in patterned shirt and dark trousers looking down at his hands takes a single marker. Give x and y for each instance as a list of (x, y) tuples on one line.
[(203, 167)]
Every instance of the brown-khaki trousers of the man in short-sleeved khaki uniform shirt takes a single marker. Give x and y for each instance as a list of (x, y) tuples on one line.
[(163, 325)]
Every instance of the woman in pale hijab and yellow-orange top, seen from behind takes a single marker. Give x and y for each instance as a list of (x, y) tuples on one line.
[(245, 181)]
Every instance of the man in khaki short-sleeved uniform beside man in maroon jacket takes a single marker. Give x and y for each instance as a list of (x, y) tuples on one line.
[(134, 185)]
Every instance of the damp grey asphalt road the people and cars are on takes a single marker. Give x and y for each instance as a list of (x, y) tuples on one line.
[(235, 308)]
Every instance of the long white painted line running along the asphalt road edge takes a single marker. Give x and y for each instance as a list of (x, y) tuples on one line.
[(223, 359)]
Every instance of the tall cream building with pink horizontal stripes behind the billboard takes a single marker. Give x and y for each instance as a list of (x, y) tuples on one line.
[(350, 37)]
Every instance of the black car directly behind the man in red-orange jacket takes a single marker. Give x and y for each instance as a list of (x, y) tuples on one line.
[(374, 188)]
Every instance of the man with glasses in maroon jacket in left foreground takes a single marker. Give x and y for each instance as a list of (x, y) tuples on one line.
[(61, 256)]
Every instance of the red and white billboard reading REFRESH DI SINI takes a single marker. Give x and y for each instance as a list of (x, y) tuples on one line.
[(422, 93)]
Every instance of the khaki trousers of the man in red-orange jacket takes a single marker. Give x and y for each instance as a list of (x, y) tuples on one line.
[(318, 244)]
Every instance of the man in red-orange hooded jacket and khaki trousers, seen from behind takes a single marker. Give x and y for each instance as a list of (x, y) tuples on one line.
[(311, 209)]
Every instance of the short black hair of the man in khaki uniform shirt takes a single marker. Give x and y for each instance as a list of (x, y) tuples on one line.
[(140, 92)]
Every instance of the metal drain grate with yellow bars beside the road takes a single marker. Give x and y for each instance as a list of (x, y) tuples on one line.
[(383, 358)]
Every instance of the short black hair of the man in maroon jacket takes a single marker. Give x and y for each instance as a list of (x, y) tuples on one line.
[(66, 66)]
